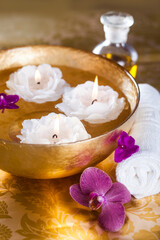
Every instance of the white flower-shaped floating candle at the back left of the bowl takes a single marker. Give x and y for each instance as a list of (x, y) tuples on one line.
[(38, 84)]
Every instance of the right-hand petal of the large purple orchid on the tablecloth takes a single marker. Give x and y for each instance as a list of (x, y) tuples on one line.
[(118, 193)]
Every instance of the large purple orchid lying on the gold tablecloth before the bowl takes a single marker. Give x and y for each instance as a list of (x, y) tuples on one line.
[(97, 190)]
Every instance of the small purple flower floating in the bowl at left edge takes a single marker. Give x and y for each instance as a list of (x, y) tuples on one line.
[(8, 101)]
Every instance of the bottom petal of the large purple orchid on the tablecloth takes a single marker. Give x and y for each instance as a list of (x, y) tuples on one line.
[(112, 216)]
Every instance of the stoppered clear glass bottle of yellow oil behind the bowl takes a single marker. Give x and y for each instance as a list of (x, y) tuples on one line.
[(116, 27)]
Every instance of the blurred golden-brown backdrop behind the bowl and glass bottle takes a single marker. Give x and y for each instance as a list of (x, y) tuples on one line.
[(76, 24)]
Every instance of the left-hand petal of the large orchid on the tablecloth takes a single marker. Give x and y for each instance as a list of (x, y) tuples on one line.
[(78, 196)]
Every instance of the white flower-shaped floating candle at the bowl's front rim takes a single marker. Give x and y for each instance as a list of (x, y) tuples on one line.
[(52, 129)]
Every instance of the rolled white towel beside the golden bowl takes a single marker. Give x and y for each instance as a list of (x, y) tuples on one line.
[(140, 173)]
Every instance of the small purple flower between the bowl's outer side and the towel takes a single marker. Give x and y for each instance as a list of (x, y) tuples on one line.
[(126, 147)]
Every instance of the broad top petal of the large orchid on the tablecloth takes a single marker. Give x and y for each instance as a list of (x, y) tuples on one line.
[(95, 180)]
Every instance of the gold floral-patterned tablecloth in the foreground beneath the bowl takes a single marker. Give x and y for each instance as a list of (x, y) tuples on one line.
[(43, 210)]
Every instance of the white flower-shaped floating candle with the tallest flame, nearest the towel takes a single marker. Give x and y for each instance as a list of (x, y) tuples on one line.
[(92, 103)]
